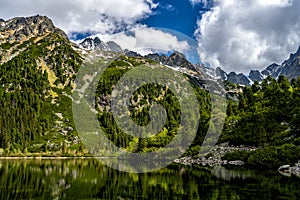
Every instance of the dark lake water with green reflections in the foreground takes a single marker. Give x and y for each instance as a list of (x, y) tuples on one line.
[(89, 179)]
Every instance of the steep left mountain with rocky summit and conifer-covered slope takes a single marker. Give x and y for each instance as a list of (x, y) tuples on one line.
[(37, 69)]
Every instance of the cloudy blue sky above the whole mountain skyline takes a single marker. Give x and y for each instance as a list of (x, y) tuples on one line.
[(236, 35)]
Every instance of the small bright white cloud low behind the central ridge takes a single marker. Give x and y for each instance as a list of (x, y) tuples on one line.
[(144, 40)]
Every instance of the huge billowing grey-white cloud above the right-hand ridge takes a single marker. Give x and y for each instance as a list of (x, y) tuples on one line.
[(241, 35)]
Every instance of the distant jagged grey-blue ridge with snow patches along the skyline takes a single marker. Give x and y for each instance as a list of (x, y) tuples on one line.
[(289, 68)]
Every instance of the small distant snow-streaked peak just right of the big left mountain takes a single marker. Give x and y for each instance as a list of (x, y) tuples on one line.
[(97, 44)]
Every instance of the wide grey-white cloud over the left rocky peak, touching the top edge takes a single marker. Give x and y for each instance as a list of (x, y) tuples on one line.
[(82, 16)]
